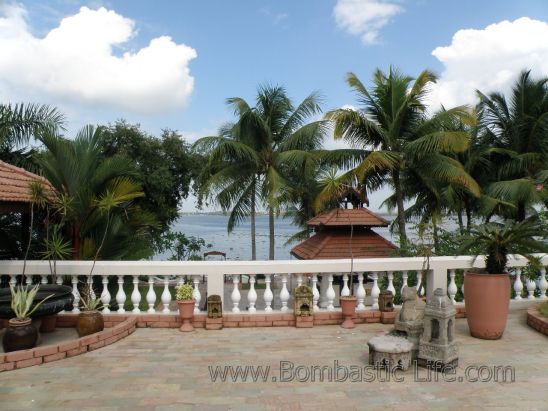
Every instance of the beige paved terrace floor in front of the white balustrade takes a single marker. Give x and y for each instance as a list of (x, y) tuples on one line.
[(163, 369)]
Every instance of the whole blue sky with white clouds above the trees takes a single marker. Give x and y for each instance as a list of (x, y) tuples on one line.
[(172, 64)]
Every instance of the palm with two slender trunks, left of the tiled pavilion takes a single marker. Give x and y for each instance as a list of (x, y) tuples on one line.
[(251, 160)]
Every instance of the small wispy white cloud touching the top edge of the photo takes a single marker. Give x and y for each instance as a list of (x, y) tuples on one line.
[(365, 18)]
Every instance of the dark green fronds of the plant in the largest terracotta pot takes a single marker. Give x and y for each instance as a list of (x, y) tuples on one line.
[(498, 240)]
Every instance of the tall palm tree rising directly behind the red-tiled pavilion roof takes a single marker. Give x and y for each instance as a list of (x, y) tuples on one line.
[(392, 135)]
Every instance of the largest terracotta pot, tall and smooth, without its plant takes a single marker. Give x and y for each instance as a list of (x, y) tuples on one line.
[(487, 298)]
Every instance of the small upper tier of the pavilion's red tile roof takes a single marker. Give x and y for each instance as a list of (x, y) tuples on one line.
[(340, 217)]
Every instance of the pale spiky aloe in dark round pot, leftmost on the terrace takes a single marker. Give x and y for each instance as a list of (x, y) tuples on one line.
[(21, 334)]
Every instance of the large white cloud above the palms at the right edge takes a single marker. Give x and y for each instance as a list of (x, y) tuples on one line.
[(490, 59)]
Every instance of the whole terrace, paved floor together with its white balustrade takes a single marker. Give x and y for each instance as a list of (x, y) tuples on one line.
[(157, 367)]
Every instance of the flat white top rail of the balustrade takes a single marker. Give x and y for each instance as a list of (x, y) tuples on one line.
[(250, 267)]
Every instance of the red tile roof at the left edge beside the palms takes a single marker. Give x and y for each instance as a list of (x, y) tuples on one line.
[(15, 183)]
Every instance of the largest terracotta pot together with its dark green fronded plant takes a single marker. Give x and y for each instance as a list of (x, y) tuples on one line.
[(487, 293)]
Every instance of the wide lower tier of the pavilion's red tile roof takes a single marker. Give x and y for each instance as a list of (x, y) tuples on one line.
[(336, 244)]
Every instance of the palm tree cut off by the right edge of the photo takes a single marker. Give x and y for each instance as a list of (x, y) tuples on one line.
[(518, 130)]
